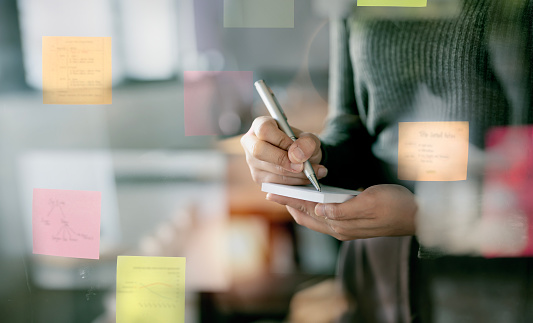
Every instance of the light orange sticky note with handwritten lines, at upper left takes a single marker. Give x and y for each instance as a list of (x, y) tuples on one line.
[(76, 70)]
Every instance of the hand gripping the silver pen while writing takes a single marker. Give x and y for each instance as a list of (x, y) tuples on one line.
[(273, 157)]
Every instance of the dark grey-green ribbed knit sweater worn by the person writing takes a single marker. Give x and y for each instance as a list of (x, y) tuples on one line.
[(470, 67)]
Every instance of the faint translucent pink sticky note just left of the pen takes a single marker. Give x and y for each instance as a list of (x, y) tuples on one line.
[(210, 100)]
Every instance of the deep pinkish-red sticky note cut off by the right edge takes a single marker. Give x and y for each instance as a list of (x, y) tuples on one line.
[(508, 187)]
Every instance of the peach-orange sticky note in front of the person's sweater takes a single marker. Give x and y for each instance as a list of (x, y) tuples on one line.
[(433, 151)]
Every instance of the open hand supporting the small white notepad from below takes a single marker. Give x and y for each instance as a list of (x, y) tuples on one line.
[(379, 211)]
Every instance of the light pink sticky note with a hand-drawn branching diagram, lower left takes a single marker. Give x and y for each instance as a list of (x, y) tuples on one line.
[(66, 223)]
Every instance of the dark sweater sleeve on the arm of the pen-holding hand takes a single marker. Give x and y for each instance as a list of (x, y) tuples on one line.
[(346, 144)]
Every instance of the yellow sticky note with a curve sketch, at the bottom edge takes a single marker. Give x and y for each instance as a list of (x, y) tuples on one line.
[(150, 289)]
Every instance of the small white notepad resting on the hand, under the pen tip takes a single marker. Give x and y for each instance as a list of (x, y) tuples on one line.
[(329, 194)]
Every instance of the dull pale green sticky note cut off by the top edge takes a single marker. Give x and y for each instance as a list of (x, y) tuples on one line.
[(259, 13)]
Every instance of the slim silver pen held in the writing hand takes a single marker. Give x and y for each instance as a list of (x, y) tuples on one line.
[(277, 113)]
